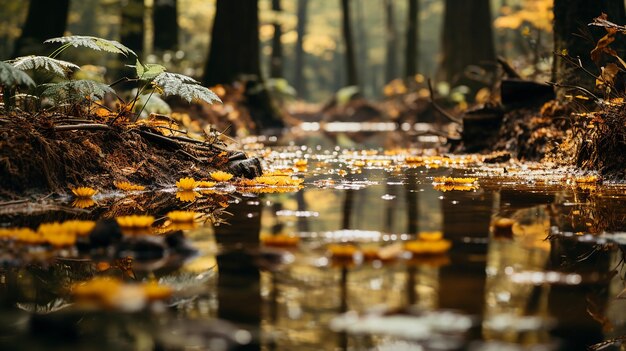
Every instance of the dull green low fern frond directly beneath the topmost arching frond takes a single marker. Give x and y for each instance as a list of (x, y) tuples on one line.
[(75, 90)]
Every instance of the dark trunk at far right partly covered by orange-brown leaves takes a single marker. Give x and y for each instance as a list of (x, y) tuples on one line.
[(572, 17)]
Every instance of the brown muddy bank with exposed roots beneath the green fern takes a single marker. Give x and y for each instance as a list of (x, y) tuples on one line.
[(40, 154)]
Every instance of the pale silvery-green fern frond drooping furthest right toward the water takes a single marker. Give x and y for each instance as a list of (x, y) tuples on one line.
[(185, 87)]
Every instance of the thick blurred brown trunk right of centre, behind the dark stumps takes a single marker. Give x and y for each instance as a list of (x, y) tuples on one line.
[(467, 41)]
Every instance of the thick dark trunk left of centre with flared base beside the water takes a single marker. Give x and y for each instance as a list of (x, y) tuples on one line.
[(234, 53)]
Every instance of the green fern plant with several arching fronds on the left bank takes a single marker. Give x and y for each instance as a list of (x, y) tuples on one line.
[(150, 78)]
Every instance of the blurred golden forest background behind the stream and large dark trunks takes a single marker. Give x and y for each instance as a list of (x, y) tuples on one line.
[(302, 41)]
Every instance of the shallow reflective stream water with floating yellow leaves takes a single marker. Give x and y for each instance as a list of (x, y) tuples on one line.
[(535, 261)]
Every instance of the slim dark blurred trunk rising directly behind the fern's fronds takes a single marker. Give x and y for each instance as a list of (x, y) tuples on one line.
[(132, 27)]
